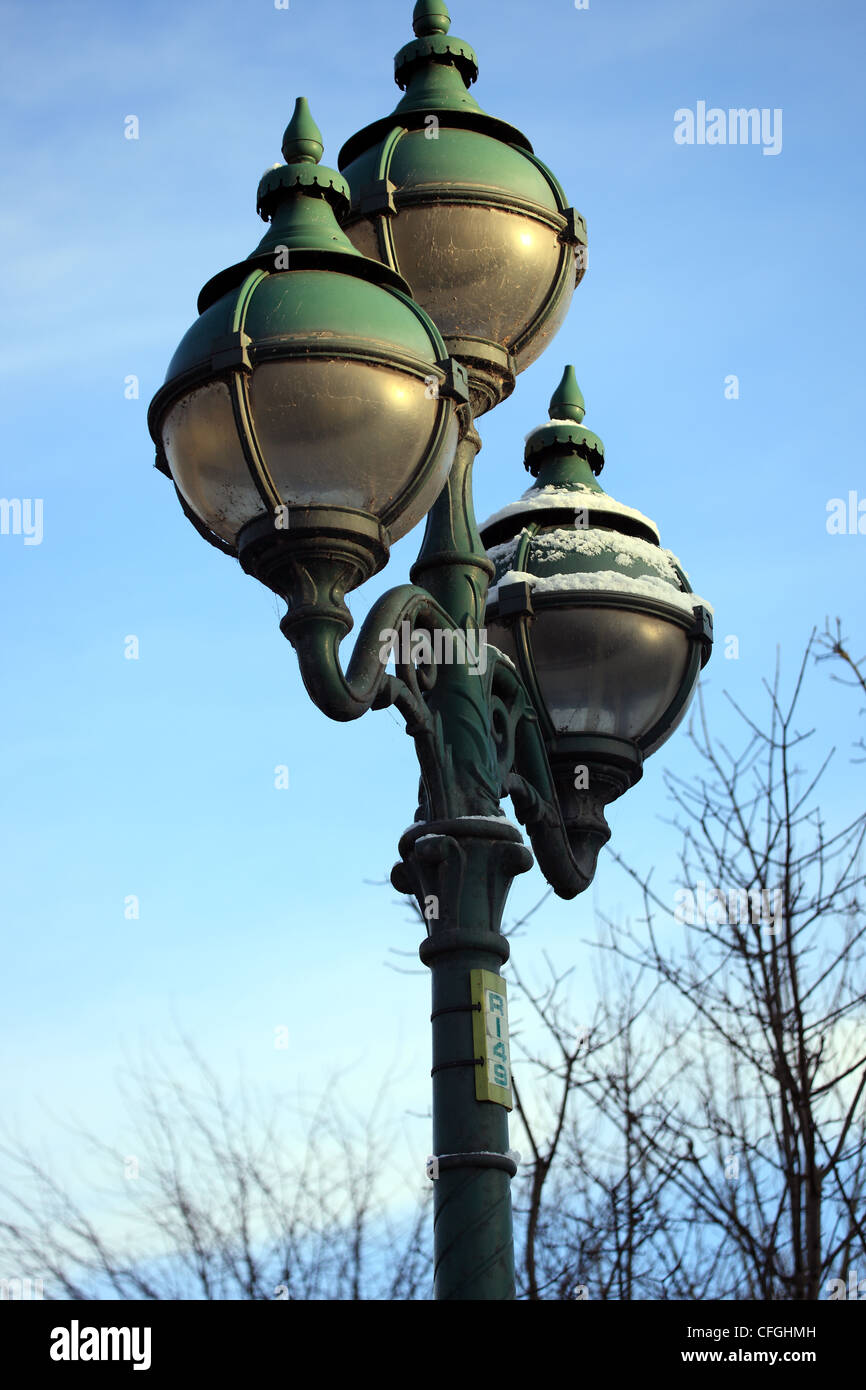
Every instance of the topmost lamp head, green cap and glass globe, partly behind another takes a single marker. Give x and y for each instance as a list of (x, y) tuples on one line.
[(458, 204)]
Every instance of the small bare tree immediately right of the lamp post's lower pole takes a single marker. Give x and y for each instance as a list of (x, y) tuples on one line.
[(600, 1218)]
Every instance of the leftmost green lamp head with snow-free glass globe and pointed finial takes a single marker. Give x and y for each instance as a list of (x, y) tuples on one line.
[(312, 391)]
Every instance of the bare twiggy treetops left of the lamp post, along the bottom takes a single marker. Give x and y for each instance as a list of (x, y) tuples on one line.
[(222, 1200)]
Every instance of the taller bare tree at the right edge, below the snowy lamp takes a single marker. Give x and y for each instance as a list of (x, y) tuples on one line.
[(768, 1140)]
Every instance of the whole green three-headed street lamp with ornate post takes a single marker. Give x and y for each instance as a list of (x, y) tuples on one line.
[(313, 414)]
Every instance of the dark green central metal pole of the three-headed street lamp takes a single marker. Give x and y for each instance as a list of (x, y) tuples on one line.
[(461, 868)]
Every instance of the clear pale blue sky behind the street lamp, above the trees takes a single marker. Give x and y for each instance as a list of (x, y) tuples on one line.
[(155, 778)]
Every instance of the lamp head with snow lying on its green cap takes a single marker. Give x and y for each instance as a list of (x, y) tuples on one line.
[(598, 619)]
